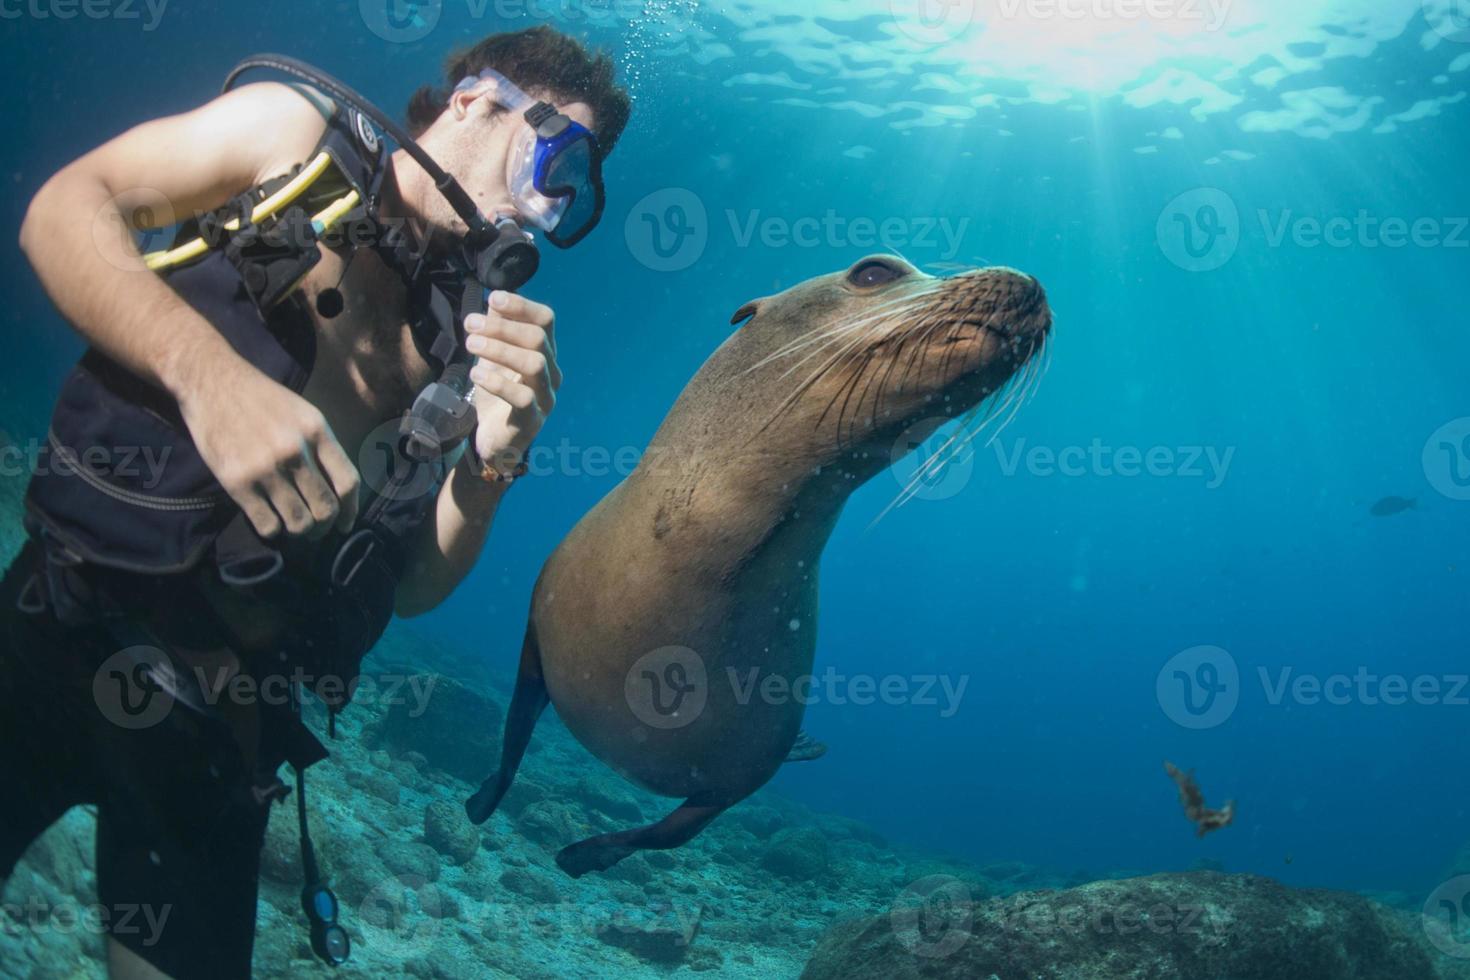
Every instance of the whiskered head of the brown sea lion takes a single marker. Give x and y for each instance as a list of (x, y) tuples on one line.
[(839, 368)]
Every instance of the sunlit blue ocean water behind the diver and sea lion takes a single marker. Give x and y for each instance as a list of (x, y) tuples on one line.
[(1255, 240)]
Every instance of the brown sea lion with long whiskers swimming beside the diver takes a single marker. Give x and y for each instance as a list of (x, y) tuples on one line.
[(658, 622)]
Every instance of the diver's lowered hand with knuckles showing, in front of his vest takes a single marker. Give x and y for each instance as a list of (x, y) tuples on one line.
[(273, 452)]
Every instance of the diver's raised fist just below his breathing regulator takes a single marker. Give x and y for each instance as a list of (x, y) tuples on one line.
[(517, 375)]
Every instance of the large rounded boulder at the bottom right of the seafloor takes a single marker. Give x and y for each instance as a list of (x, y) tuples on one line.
[(1199, 925)]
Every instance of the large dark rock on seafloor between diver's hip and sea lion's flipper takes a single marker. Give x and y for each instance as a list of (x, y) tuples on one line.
[(453, 728)]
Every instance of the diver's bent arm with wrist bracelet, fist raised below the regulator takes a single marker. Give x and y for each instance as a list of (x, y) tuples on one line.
[(517, 380)]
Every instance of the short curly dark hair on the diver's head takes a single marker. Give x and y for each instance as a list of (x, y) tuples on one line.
[(536, 60)]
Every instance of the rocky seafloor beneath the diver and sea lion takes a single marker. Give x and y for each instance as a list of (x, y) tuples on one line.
[(772, 890)]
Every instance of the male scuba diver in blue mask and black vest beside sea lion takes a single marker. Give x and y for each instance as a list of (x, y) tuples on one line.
[(324, 300)]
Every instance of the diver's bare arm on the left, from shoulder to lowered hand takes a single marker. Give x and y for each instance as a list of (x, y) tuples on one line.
[(270, 449)]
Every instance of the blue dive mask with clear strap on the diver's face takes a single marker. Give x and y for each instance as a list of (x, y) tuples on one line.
[(556, 167)]
